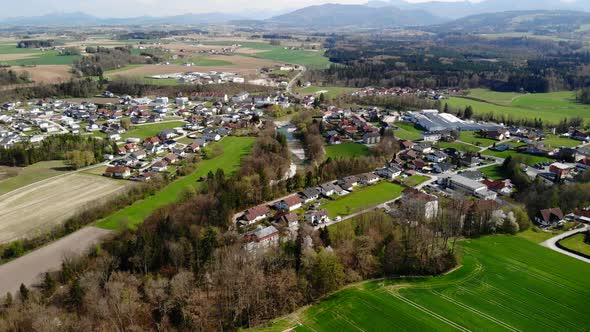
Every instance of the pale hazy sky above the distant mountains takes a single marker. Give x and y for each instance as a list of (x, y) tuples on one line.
[(131, 8)]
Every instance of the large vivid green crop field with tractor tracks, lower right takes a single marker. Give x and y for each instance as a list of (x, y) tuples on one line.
[(503, 283)]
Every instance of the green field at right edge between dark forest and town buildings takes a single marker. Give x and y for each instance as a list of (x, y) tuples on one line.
[(550, 107)]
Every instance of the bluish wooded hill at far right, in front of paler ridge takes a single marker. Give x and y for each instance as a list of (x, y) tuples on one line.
[(539, 22)]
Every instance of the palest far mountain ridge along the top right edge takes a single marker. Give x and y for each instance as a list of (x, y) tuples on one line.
[(454, 10)]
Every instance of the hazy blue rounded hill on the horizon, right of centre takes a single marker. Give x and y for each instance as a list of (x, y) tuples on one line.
[(360, 16)]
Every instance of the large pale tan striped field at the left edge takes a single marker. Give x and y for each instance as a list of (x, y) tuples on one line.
[(35, 209)]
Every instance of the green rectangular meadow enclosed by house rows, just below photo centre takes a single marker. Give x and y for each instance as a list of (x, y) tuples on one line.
[(363, 198)]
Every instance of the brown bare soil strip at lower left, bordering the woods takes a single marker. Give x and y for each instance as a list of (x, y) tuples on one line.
[(30, 268)]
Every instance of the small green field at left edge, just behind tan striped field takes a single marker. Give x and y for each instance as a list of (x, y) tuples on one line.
[(30, 174)]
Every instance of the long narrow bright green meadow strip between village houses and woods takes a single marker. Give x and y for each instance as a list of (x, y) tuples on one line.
[(234, 148)]
